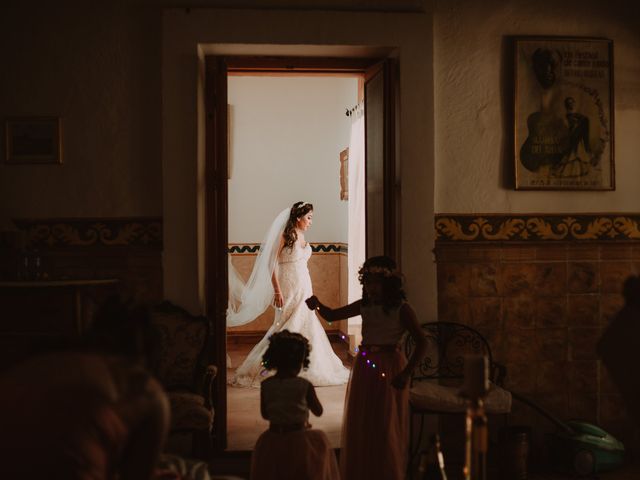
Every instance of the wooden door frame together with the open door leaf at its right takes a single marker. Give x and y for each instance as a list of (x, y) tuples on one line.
[(381, 187)]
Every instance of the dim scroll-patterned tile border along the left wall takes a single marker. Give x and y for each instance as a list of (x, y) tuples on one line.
[(83, 232)]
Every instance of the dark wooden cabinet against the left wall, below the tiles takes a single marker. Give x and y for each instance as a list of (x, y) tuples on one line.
[(39, 315)]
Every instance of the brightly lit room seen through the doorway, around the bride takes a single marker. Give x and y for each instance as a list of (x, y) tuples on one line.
[(290, 136)]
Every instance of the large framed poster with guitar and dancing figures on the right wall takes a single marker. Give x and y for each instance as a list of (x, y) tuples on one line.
[(563, 113)]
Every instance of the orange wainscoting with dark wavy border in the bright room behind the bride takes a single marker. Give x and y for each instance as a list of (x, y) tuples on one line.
[(328, 269)]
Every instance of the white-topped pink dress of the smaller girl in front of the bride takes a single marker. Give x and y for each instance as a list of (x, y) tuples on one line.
[(292, 451)]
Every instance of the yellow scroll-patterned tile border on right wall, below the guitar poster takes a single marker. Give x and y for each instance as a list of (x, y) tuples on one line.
[(608, 227)]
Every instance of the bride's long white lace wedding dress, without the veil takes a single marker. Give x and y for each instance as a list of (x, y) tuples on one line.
[(325, 368)]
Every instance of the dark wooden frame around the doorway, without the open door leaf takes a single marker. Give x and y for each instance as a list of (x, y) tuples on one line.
[(217, 70)]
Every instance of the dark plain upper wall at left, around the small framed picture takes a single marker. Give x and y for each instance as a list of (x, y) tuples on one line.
[(98, 68)]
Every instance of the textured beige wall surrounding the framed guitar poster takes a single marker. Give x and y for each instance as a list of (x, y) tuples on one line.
[(472, 107)]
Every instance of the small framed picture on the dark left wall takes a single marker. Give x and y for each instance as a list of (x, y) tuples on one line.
[(33, 140)]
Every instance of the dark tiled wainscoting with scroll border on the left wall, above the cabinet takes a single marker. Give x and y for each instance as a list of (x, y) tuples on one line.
[(128, 249)]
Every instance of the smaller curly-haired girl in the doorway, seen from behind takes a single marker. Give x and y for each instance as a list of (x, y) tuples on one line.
[(290, 448)]
